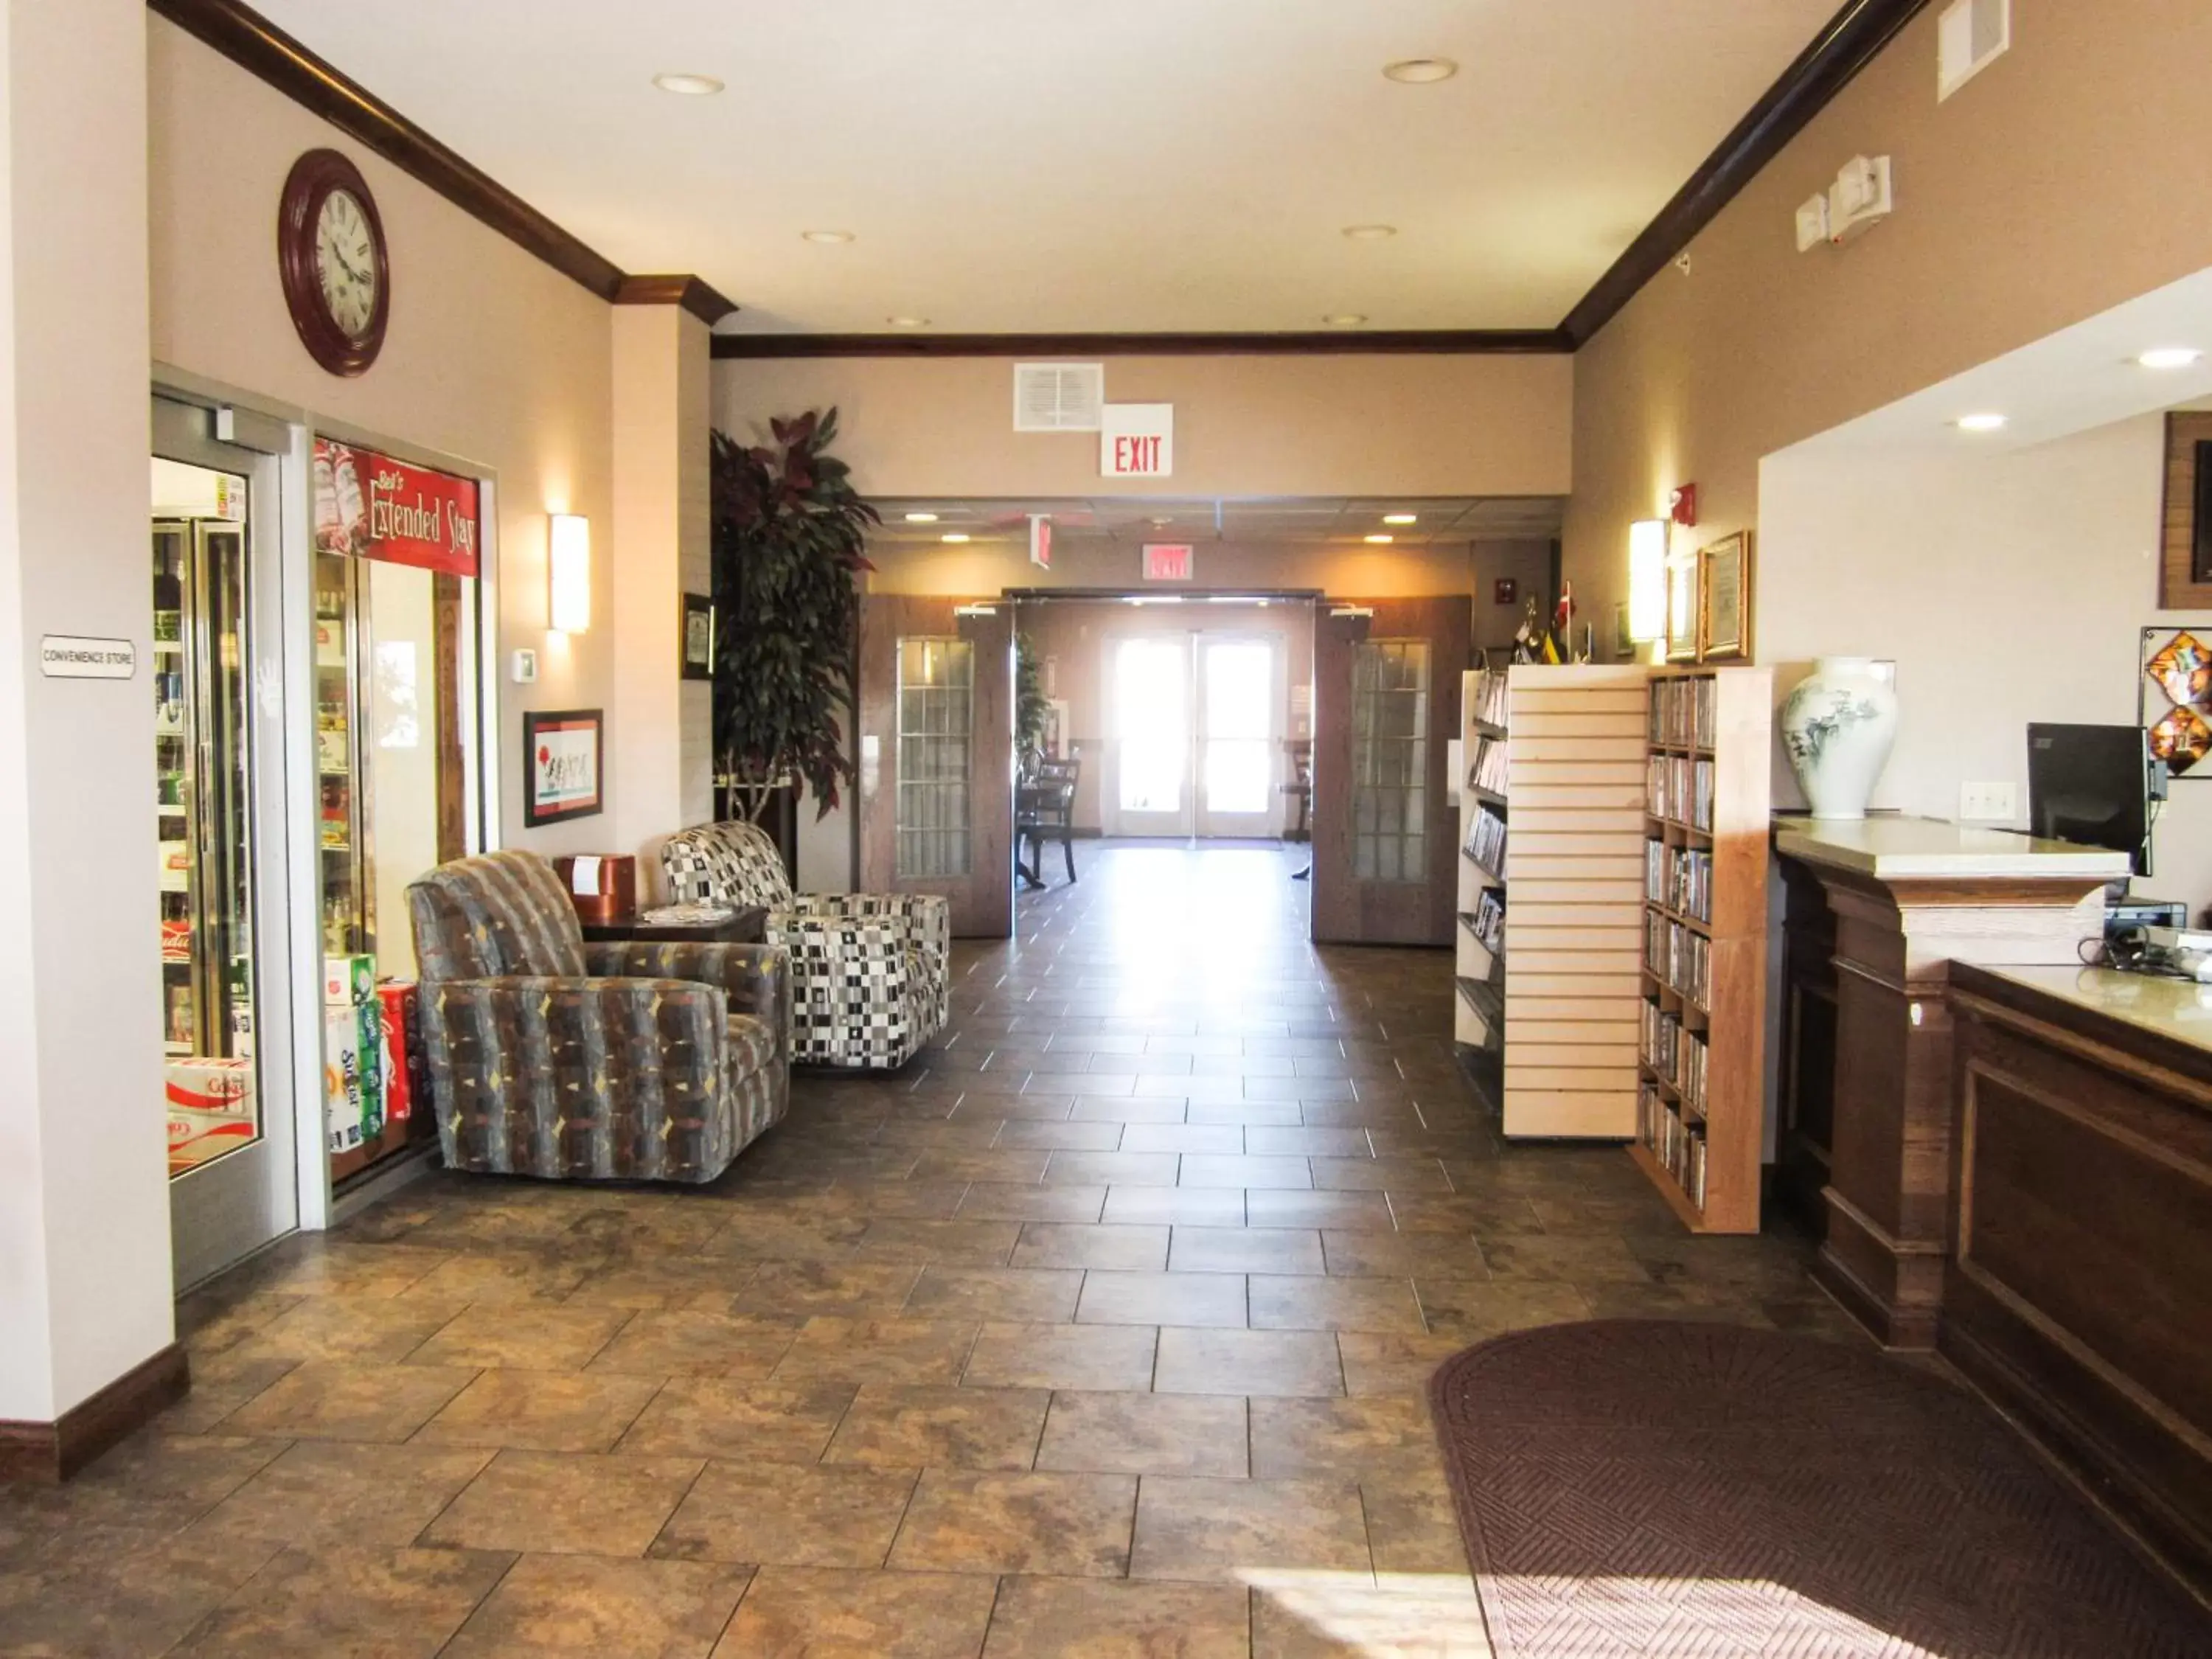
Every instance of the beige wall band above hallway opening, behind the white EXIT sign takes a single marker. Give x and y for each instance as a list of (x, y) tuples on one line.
[(1244, 426)]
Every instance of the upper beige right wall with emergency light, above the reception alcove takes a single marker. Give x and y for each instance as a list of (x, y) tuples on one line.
[(2060, 182)]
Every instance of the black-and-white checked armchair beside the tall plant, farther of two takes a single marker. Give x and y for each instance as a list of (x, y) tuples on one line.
[(868, 970)]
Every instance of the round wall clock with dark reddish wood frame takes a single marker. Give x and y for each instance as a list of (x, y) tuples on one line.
[(331, 255)]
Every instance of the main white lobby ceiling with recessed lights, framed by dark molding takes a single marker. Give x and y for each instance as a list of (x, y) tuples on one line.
[(1085, 165)]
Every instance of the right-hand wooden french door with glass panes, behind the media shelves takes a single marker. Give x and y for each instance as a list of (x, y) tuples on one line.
[(1386, 705)]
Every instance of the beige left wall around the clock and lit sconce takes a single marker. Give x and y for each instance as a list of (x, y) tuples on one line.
[(492, 357)]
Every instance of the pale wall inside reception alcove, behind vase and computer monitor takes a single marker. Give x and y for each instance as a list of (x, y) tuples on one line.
[(2007, 587)]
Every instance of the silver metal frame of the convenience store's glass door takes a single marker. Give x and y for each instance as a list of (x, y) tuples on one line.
[(231, 1207)]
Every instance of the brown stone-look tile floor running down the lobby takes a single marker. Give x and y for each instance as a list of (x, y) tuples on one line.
[(1100, 1331)]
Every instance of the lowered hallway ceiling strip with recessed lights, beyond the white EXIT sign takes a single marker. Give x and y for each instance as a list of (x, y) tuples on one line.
[(1255, 523)]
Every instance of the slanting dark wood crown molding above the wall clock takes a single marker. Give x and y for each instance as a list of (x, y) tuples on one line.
[(260, 48)]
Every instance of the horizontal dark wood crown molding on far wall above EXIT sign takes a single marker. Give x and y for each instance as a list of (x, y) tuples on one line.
[(1510, 342)]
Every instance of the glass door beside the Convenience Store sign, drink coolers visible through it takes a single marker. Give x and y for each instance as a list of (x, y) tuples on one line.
[(218, 751)]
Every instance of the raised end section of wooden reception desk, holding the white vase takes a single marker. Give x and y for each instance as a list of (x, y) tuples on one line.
[(1879, 912)]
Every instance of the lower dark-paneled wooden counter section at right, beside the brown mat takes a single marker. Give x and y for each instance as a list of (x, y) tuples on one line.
[(2078, 1288)]
